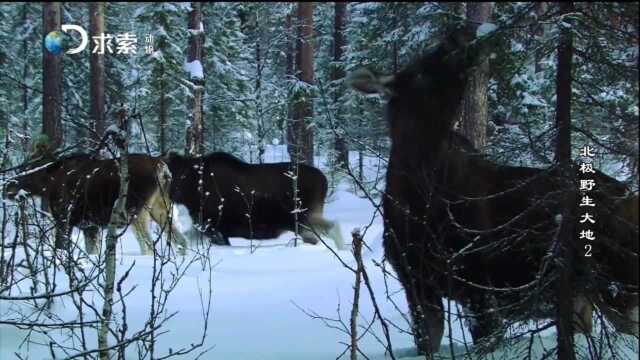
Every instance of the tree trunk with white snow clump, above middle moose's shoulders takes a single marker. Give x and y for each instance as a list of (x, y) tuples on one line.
[(195, 139)]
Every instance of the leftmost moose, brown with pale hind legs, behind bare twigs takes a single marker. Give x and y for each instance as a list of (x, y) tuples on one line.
[(81, 191)]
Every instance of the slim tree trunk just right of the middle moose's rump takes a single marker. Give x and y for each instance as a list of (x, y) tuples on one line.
[(339, 42)]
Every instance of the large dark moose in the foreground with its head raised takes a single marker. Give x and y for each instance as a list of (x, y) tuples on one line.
[(458, 225)]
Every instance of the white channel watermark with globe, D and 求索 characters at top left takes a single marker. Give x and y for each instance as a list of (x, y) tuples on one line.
[(57, 42)]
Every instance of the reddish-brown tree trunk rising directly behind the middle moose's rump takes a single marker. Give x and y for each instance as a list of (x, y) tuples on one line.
[(301, 137)]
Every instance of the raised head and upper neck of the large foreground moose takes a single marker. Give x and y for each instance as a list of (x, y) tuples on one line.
[(423, 97)]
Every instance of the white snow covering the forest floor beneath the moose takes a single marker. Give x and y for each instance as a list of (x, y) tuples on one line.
[(262, 298)]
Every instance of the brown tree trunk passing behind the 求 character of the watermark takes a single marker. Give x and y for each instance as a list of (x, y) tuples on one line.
[(96, 68)]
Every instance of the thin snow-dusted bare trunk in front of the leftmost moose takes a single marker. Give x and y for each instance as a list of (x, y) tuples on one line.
[(118, 218)]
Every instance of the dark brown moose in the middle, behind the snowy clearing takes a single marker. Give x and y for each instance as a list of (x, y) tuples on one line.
[(228, 197)]
